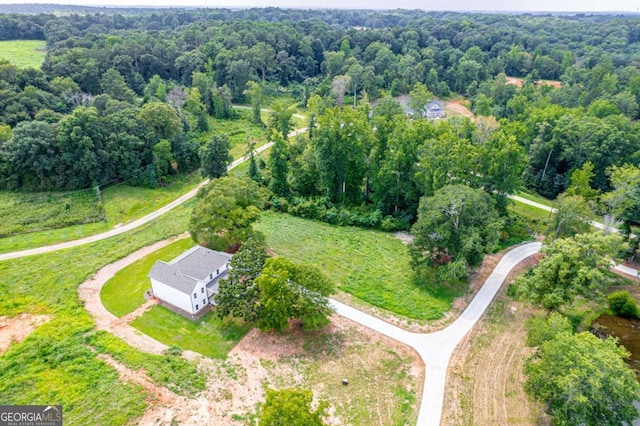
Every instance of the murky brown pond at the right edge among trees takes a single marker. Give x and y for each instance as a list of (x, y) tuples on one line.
[(628, 334)]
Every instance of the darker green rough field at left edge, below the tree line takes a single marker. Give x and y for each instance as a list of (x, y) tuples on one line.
[(30, 212)]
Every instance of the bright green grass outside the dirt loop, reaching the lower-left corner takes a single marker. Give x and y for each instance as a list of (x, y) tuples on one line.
[(58, 361)]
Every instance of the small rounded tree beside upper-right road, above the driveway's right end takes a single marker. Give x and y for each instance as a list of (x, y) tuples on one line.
[(572, 216)]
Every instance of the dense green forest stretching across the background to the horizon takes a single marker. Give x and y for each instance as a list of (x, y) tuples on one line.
[(127, 96)]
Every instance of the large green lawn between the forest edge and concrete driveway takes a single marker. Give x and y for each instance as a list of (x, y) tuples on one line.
[(371, 265)]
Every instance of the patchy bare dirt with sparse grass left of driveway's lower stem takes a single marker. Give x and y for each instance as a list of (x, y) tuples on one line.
[(385, 378)]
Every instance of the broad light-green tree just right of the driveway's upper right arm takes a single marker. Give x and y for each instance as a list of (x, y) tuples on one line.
[(570, 267)]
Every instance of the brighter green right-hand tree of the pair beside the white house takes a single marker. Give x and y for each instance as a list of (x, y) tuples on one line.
[(289, 291)]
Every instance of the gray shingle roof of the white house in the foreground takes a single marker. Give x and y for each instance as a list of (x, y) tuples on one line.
[(194, 265)]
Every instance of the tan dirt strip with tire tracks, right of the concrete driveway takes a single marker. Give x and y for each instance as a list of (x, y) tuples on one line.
[(485, 383)]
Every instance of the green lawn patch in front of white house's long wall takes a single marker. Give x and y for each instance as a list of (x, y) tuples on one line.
[(209, 335)]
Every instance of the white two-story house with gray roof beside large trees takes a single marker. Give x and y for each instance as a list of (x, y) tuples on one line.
[(188, 283)]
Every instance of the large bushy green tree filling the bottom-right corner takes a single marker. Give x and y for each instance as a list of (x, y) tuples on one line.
[(583, 380)]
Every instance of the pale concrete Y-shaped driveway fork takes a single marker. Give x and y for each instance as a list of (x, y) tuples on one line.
[(436, 348)]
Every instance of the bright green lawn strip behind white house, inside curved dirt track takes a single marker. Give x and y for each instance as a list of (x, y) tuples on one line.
[(123, 293)]
